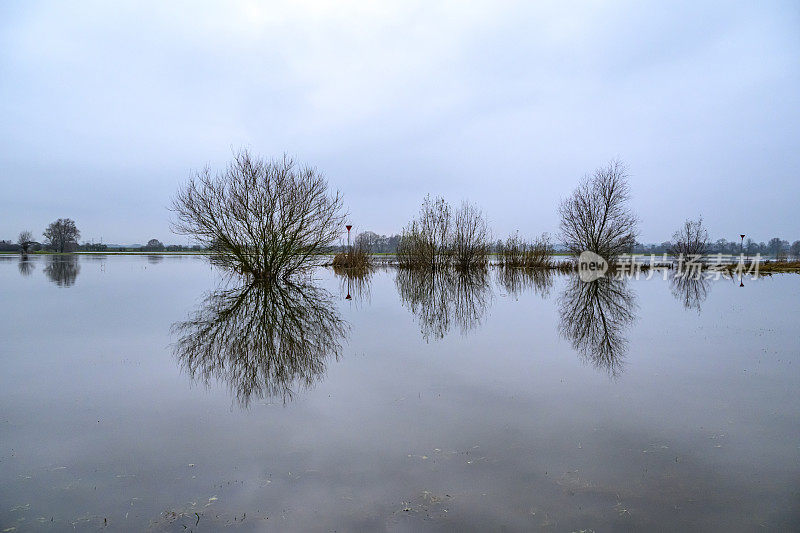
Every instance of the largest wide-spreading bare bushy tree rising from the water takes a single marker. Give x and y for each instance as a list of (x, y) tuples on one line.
[(268, 219)]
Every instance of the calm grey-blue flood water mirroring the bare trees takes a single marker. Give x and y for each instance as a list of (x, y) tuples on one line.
[(147, 392)]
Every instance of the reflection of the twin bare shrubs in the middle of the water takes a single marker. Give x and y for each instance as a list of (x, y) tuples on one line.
[(442, 297)]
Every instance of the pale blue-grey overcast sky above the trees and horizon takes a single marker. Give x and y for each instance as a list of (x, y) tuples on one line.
[(106, 107)]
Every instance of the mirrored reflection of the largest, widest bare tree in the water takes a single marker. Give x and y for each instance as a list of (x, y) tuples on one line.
[(262, 340)]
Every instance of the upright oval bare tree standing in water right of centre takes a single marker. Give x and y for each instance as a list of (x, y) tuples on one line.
[(596, 217)]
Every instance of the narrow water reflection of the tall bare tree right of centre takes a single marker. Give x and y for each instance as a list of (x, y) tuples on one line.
[(594, 317)]
